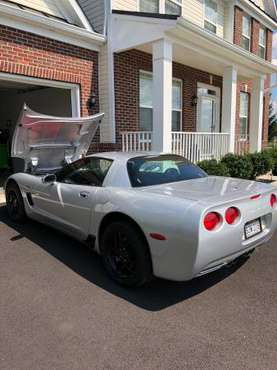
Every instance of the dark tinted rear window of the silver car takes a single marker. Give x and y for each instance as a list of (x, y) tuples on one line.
[(162, 169)]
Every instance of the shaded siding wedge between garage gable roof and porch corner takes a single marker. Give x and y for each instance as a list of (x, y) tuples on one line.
[(95, 12)]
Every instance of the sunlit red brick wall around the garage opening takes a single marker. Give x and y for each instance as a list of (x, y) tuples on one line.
[(30, 55)]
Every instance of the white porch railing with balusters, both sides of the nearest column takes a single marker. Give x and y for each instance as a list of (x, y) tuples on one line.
[(195, 146)]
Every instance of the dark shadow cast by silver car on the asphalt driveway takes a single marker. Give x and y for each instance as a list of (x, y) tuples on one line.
[(155, 296)]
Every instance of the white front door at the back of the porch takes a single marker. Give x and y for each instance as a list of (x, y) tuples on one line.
[(208, 110)]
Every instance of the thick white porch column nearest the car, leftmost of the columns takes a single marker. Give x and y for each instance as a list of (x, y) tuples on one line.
[(162, 96)]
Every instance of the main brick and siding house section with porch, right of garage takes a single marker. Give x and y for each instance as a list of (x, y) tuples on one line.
[(190, 76)]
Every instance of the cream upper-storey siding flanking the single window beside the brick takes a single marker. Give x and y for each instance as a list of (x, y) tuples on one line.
[(193, 10)]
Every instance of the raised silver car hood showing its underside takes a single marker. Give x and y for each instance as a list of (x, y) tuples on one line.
[(45, 143)]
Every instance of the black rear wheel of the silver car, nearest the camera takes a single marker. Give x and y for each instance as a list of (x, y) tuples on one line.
[(125, 254)]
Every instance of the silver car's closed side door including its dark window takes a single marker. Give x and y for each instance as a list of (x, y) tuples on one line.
[(68, 203)]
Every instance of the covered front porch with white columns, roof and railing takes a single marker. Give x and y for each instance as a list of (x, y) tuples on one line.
[(212, 72)]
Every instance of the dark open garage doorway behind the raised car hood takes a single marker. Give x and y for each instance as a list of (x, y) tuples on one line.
[(43, 99)]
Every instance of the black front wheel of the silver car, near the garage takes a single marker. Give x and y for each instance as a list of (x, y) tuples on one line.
[(15, 204)]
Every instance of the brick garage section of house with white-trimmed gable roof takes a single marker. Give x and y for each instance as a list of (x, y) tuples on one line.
[(48, 59)]
